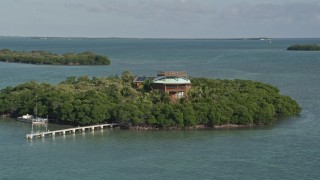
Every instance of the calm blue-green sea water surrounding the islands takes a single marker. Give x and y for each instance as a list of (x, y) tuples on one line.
[(288, 149)]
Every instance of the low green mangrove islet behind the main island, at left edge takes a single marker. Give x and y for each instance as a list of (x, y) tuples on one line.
[(42, 57)]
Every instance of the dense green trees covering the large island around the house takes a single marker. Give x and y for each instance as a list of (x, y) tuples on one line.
[(211, 102)]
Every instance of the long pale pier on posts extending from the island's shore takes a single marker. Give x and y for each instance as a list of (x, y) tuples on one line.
[(69, 130)]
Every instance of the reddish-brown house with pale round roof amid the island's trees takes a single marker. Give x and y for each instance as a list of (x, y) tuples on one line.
[(176, 84)]
